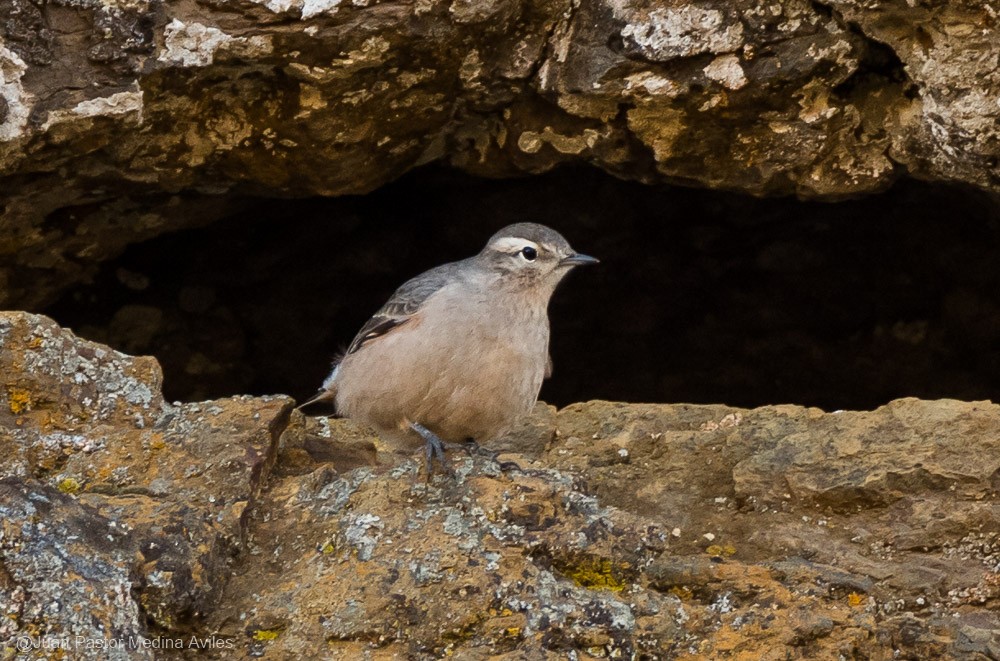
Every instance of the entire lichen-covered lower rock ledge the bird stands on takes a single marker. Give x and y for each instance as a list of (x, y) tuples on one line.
[(629, 531)]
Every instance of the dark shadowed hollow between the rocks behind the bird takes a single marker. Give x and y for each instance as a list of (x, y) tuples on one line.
[(702, 296)]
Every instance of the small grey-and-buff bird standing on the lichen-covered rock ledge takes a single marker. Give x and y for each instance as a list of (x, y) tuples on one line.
[(459, 352)]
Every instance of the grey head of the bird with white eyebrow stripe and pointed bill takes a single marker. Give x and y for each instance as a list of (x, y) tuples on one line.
[(531, 255)]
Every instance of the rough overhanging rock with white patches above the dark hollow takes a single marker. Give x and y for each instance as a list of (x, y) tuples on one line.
[(117, 117)]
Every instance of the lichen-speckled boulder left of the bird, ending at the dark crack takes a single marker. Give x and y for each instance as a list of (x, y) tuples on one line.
[(172, 483)]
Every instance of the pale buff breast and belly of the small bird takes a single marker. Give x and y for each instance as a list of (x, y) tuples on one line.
[(473, 388)]
